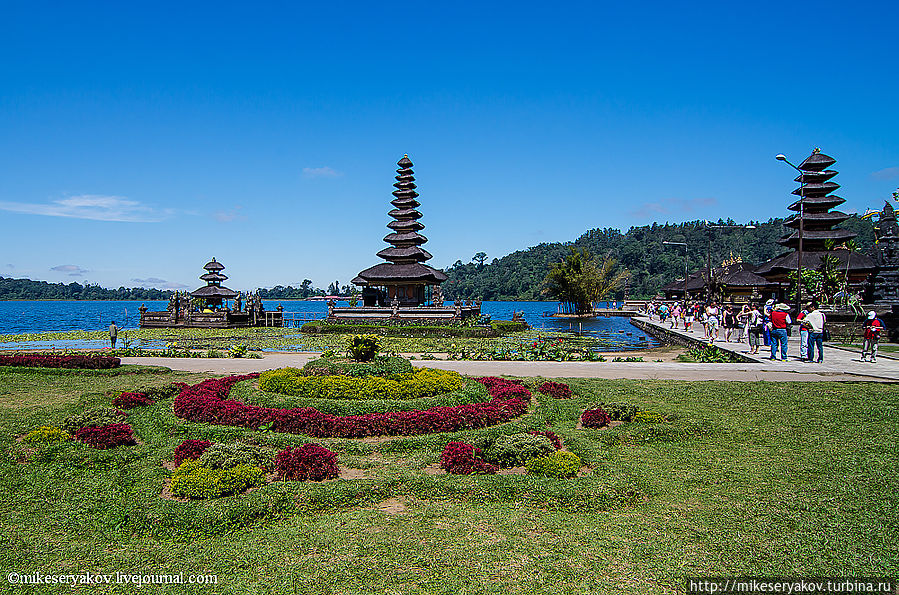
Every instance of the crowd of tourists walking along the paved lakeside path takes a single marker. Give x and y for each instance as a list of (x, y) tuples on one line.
[(769, 324)]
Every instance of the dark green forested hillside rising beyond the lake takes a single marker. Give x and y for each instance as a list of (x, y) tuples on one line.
[(652, 264)]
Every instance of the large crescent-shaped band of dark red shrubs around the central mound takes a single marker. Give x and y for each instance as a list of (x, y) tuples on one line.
[(207, 402)]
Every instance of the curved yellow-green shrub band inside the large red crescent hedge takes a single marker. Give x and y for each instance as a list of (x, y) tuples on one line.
[(411, 385)]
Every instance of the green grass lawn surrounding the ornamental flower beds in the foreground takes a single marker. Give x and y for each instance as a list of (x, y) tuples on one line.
[(747, 479)]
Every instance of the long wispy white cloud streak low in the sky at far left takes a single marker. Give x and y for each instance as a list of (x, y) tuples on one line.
[(92, 206)]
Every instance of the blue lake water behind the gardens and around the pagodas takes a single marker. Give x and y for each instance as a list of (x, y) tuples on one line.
[(17, 317)]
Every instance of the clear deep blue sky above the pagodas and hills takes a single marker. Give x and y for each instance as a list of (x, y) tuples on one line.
[(138, 140)]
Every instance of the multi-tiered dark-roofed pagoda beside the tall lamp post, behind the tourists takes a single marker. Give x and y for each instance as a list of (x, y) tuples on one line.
[(816, 224)]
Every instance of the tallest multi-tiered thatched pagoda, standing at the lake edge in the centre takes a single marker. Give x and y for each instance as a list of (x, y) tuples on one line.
[(404, 279)]
